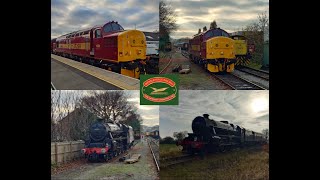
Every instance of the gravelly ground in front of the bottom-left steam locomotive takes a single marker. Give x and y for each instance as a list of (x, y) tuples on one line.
[(143, 169)]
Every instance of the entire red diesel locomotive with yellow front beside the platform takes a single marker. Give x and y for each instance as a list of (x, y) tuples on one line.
[(108, 46)]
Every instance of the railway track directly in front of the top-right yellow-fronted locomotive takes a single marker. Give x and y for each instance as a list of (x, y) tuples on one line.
[(236, 82)]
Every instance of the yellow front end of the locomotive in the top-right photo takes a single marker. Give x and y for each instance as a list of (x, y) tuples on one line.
[(220, 54)]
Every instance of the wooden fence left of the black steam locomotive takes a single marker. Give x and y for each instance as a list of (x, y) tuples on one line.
[(62, 152)]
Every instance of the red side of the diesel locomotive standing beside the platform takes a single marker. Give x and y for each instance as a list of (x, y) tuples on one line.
[(93, 42)]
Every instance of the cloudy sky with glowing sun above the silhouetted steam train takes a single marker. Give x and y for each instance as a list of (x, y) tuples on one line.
[(249, 109)]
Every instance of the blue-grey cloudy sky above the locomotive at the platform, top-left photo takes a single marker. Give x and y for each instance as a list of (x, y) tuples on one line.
[(73, 15)]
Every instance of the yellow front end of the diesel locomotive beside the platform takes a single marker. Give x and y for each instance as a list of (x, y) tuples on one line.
[(132, 48)]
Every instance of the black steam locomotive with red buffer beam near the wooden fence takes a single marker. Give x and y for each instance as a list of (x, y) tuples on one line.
[(107, 140)]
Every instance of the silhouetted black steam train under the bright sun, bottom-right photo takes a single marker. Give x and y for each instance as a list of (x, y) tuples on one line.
[(210, 135)]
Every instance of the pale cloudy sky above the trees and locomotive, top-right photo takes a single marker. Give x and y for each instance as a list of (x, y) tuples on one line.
[(230, 15)]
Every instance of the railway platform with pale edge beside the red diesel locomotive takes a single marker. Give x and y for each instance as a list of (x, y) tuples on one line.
[(67, 74)]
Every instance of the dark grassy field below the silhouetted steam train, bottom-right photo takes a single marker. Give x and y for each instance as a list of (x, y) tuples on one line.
[(244, 164)]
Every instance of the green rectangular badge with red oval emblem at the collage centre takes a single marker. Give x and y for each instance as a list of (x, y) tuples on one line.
[(159, 89)]
